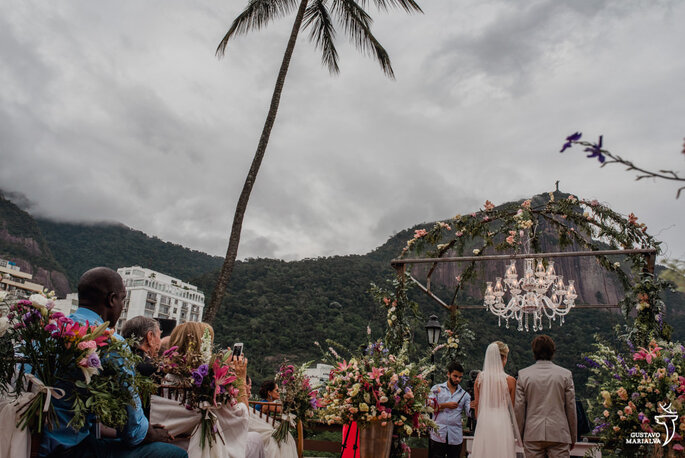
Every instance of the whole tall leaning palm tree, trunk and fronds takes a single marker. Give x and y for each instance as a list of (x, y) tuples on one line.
[(315, 15)]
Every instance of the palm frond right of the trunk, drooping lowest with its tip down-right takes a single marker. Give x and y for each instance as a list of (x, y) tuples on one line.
[(357, 25)]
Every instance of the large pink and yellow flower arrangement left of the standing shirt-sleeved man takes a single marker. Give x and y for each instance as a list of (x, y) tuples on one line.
[(379, 386)]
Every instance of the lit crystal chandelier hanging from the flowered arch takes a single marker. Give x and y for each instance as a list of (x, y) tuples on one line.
[(540, 292)]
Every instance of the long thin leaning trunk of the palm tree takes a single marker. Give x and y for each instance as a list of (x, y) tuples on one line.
[(234, 240)]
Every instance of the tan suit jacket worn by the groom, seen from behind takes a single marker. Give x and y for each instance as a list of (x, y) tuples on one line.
[(546, 404)]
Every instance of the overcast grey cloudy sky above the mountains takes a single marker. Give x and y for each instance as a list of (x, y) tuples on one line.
[(120, 111)]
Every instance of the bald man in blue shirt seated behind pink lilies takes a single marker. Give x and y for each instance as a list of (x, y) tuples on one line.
[(101, 294)]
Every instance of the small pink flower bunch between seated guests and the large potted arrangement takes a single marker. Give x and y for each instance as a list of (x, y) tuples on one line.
[(299, 400)]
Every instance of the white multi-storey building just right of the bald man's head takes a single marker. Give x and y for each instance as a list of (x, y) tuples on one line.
[(157, 295)]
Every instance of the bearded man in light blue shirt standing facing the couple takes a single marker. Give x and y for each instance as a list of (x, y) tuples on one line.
[(450, 402)]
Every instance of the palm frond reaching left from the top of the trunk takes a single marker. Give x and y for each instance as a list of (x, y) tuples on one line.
[(256, 15)]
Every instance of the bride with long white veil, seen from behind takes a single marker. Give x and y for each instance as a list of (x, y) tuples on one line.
[(494, 396)]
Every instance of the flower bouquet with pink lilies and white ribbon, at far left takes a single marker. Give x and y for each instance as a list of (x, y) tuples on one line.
[(48, 355)]
